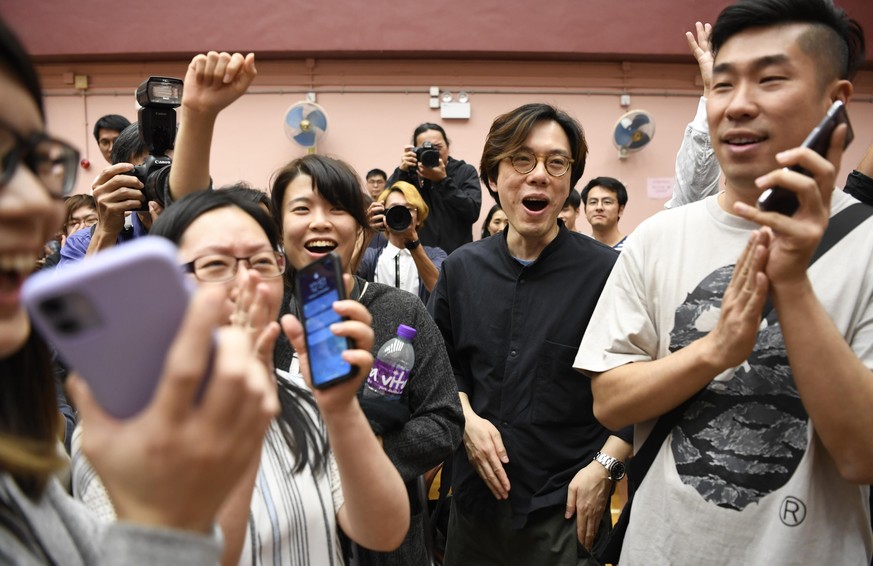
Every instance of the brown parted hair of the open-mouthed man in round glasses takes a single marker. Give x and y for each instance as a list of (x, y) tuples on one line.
[(509, 133)]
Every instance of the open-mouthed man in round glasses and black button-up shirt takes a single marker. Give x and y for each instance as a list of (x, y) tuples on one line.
[(532, 482)]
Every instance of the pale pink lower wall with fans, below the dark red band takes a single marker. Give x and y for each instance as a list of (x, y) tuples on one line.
[(373, 107)]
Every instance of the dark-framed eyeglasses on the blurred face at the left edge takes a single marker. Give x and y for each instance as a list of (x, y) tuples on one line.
[(54, 162)]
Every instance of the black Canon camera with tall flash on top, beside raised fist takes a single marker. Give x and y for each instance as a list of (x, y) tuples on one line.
[(158, 98)]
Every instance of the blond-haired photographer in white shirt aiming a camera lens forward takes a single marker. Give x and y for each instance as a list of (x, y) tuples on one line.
[(402, 261)]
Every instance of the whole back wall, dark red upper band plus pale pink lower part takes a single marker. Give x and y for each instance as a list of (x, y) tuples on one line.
[(371, 64)]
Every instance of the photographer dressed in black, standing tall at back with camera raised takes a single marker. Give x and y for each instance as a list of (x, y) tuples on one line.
[(450, 187)]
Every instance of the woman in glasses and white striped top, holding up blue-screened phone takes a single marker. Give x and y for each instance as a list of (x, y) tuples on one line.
[(226, 240)]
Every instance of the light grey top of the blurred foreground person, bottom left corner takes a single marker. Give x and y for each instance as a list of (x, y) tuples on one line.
[(68, 534)]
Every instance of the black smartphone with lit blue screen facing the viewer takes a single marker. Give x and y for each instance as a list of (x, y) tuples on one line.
[(319, 284)]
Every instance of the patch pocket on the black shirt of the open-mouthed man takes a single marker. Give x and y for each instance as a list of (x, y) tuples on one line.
[(562, 395)]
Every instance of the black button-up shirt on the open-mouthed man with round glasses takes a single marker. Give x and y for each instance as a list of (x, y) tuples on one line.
[(512, 332)]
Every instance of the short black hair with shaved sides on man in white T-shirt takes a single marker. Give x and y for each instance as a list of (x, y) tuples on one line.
[(834, 41)]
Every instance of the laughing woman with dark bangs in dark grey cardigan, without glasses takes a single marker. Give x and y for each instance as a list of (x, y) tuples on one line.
[(321, 206)]
